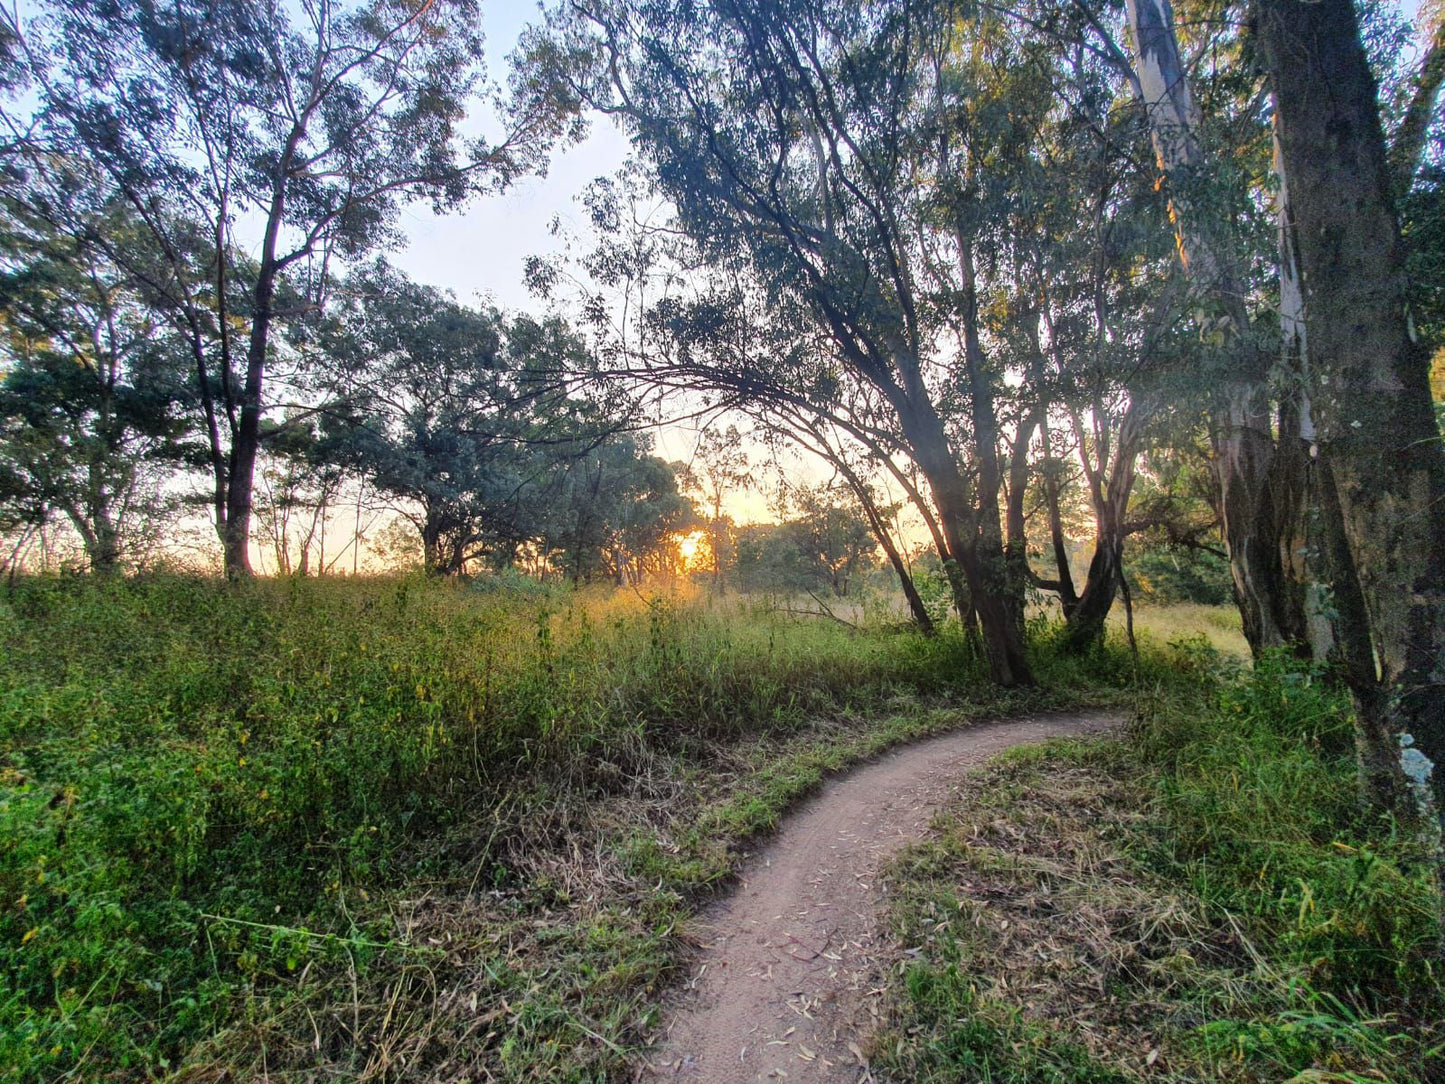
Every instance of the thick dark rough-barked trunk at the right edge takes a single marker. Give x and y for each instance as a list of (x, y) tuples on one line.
[(1371, 392)]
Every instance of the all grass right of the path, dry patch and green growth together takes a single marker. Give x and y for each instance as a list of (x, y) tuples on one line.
[(1204, 903)]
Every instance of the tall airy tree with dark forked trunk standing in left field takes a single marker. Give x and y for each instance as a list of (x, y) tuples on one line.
[(297, 134)]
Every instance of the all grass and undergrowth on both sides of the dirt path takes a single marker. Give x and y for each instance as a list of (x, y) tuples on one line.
[(404, 830)]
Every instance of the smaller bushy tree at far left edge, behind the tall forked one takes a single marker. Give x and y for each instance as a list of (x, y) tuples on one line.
[(95, 401)]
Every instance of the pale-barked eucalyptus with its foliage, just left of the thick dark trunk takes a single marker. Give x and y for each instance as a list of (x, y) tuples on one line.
[(1204, 164)]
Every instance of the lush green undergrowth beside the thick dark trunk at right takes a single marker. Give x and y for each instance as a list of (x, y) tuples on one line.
[(1262, 820)]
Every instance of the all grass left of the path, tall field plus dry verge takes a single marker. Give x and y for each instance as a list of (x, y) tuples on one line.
[(394, 829)]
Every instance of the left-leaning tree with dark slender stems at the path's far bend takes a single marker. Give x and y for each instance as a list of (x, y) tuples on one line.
[(798, 135)]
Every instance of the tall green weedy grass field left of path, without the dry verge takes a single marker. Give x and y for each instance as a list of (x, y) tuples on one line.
[(196, 777)]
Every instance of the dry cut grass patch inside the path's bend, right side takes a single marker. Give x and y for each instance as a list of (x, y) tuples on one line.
[(1035, 945)]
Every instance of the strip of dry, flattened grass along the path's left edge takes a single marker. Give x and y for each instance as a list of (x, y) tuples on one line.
[(541, 950)]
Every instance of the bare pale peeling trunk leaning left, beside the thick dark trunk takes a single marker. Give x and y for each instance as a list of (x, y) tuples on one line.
[(1241, 431)]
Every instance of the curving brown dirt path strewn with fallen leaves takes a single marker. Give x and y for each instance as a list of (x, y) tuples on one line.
[(780, 991)]
